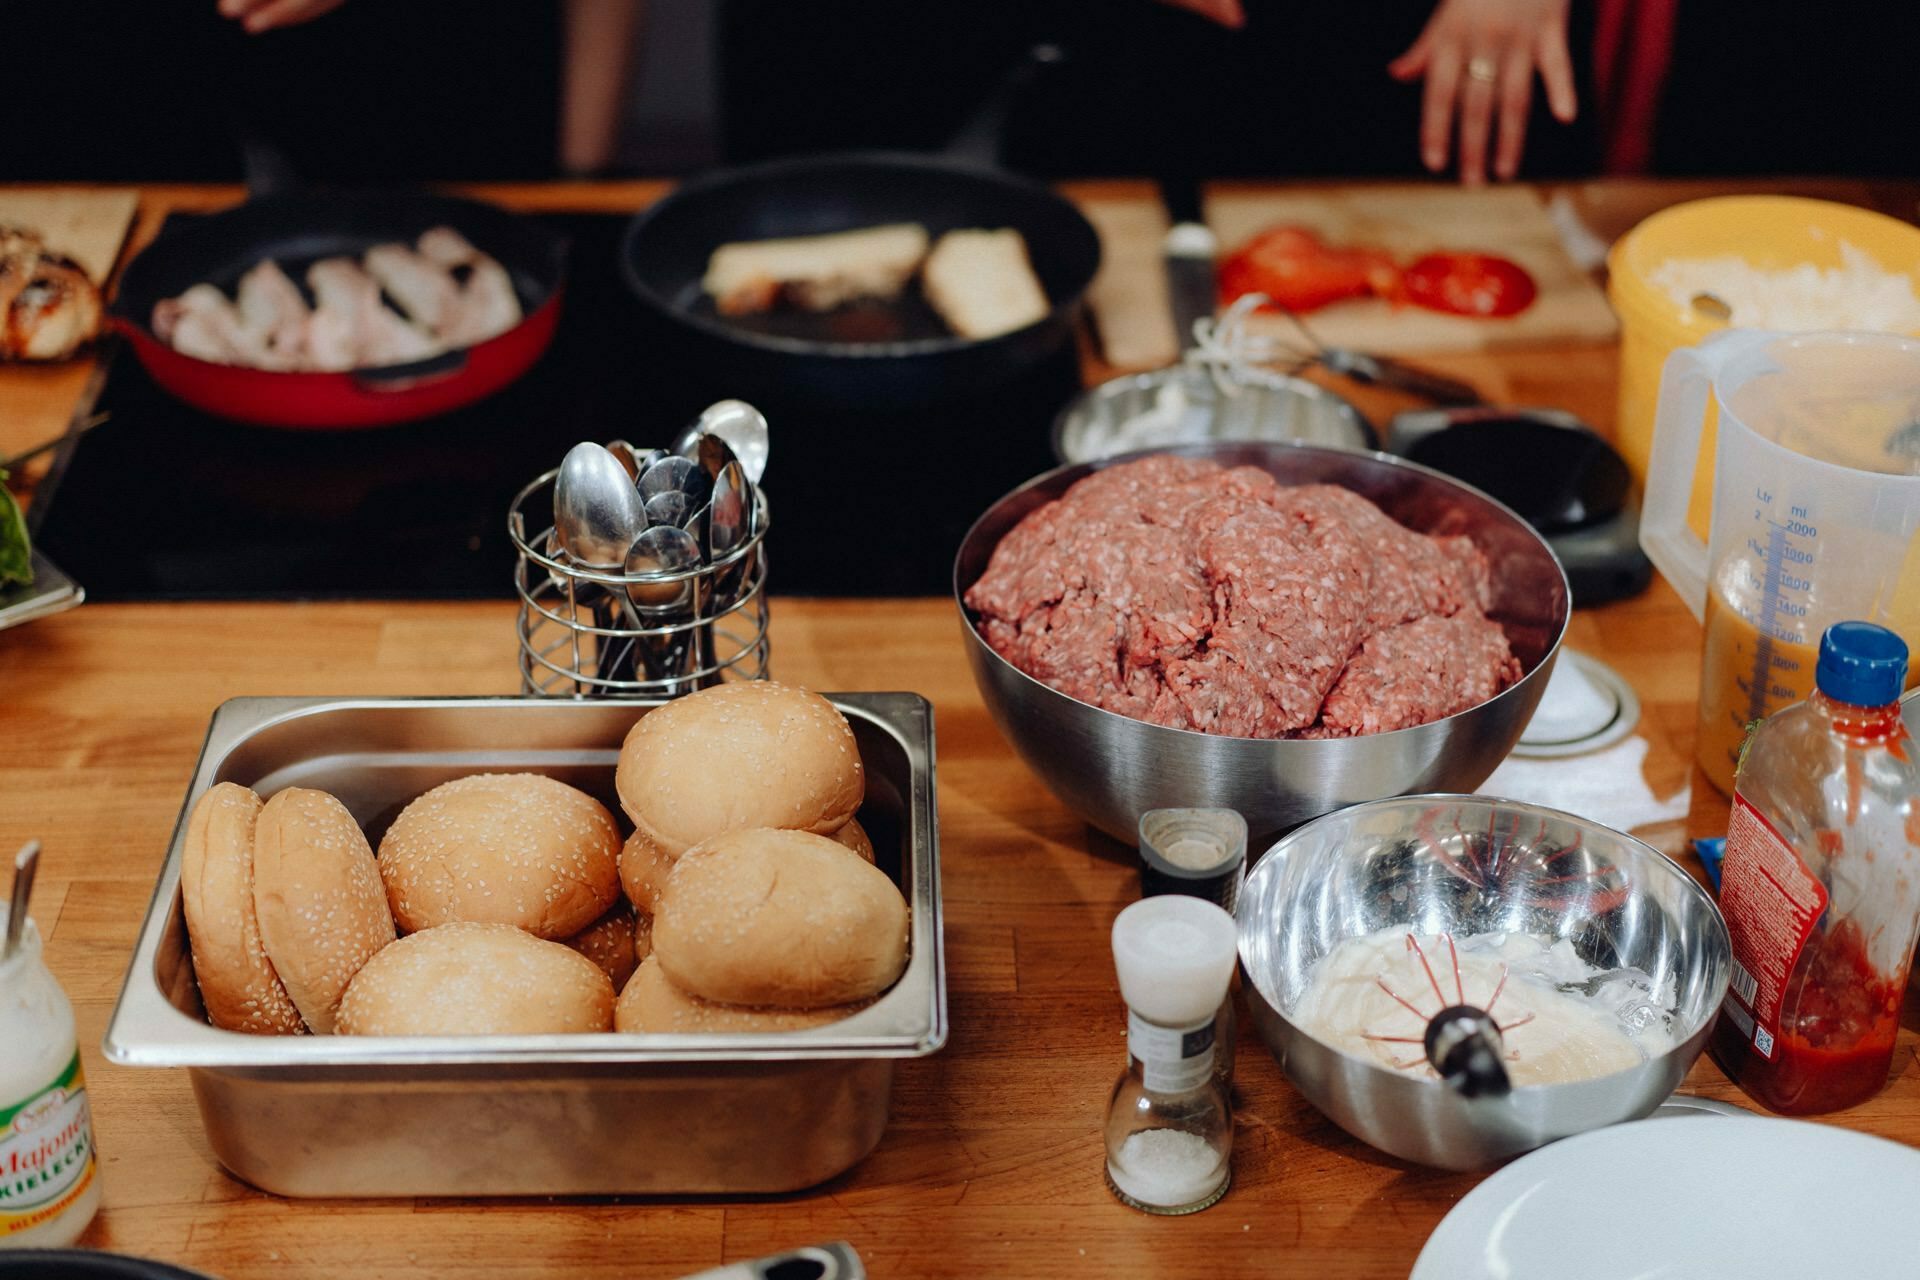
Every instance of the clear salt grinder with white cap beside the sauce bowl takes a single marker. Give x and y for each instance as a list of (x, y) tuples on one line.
[(1170, 1122)]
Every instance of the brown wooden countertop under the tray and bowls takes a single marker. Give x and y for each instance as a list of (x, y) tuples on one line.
[(994, 1158)]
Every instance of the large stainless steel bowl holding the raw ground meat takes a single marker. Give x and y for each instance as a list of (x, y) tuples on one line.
[(1111, 769)]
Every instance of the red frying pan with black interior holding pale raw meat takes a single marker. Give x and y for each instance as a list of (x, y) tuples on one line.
[(300, 227)]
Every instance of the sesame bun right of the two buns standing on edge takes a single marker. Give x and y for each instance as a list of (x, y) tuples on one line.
[(504, 849)]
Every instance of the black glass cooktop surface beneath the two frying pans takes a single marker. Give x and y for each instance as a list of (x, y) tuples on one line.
[(164, 502)]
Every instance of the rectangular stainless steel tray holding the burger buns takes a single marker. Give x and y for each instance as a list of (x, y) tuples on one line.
[(531, 1116)]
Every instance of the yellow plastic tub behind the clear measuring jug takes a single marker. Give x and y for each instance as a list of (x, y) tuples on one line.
[(1773, 233)]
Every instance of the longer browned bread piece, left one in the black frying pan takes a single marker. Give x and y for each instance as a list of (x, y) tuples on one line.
[(815, 273)]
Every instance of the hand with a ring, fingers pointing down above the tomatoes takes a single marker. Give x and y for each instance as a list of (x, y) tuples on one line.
[(1481, 53)]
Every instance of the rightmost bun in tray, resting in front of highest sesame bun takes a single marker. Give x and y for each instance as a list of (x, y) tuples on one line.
[(780, 918)]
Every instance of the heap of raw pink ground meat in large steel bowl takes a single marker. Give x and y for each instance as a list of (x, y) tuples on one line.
[(1184, 594)]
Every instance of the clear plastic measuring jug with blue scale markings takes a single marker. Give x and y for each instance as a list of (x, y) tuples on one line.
[(1815, 511)]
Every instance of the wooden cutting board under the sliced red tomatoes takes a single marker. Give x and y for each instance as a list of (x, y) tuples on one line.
[(1410, 222)]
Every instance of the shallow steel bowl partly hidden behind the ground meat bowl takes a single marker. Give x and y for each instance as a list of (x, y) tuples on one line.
[(1184, 406)]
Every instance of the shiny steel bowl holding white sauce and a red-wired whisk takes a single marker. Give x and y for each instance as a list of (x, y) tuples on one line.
[(1464, 866)]
